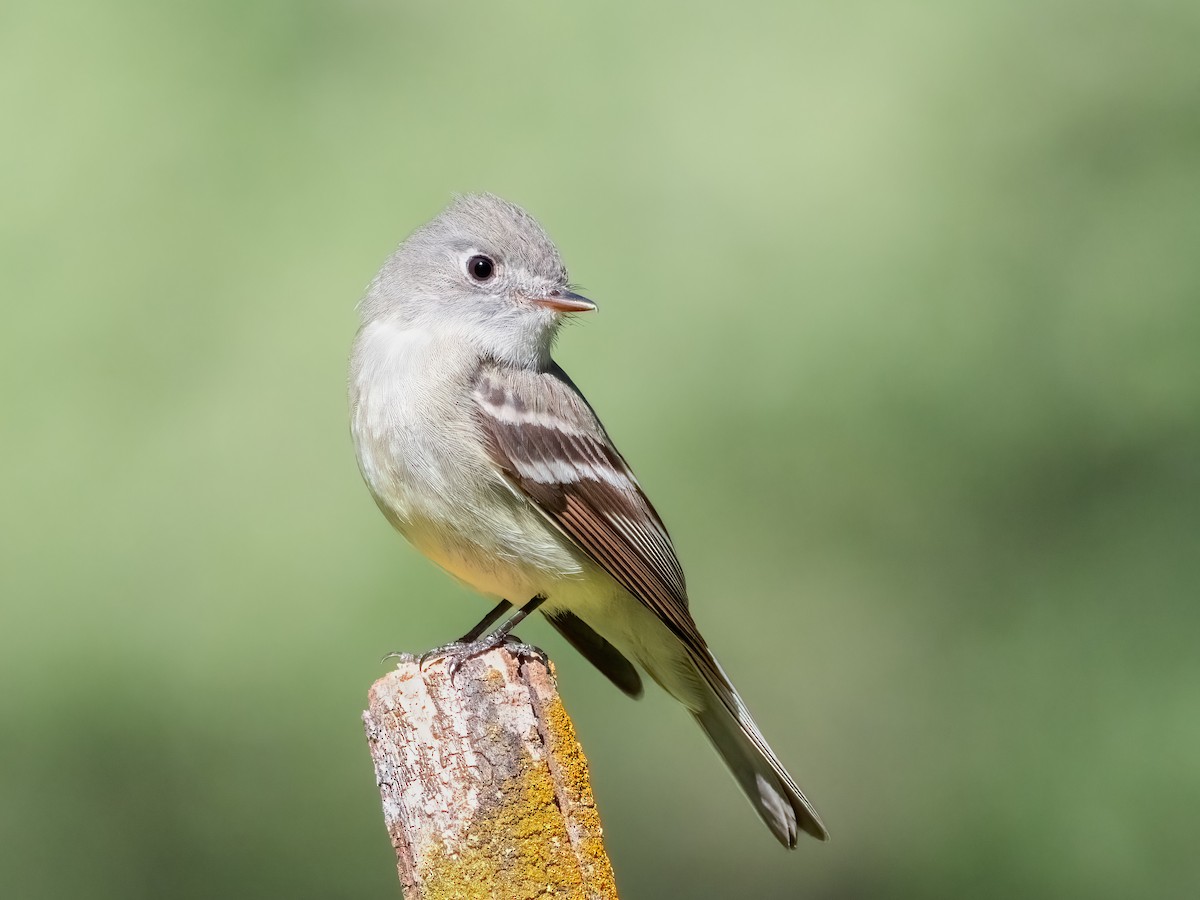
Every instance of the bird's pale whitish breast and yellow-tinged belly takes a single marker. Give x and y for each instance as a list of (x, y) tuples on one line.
[(421, 453)]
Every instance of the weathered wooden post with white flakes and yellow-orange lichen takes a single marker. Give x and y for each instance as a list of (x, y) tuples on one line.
[(485, 788)]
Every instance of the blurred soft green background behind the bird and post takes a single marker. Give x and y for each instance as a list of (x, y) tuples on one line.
[(901, 327)]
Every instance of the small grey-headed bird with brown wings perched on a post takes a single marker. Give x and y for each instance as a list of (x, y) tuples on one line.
[(483, 453)]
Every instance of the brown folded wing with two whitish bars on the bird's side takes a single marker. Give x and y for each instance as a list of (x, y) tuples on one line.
[(553, 449)]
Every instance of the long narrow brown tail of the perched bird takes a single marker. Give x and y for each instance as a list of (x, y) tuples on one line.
[(772, 791)]
